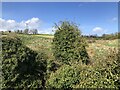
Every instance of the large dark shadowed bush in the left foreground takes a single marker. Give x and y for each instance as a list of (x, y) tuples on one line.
[(22, 67)]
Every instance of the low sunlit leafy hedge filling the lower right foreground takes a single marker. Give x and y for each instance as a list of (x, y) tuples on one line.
[(105, 73)]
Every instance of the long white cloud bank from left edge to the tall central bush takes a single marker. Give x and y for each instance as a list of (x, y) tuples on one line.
[(33, 23)]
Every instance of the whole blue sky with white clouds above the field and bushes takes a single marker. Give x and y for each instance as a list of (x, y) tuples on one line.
[(92, 17)]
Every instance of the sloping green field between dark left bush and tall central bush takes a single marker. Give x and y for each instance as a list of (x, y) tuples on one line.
[(38, 43)]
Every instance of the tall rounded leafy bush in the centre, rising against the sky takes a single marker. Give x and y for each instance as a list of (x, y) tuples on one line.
[(68, 45)]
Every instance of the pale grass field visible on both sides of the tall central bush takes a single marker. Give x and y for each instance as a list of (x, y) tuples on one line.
[(43, 42)]
